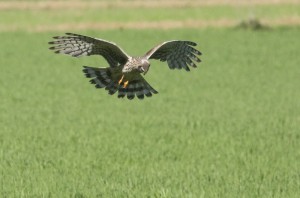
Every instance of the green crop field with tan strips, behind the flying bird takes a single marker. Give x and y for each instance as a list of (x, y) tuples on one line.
[(229, 128)]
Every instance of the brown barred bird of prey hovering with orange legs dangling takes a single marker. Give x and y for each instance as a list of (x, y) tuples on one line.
[(124, 72)]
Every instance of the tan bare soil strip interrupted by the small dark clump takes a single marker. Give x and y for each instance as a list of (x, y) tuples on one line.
[(285, 21)]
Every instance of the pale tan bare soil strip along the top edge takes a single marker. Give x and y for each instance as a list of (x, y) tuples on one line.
[(29, 5)]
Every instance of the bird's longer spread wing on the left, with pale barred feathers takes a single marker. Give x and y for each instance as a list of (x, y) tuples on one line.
[(78, 45)]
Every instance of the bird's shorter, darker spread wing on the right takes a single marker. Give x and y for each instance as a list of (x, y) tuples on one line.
[(178, 54)]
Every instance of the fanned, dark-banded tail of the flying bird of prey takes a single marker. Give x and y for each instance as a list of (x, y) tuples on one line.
[(109, 79)]
